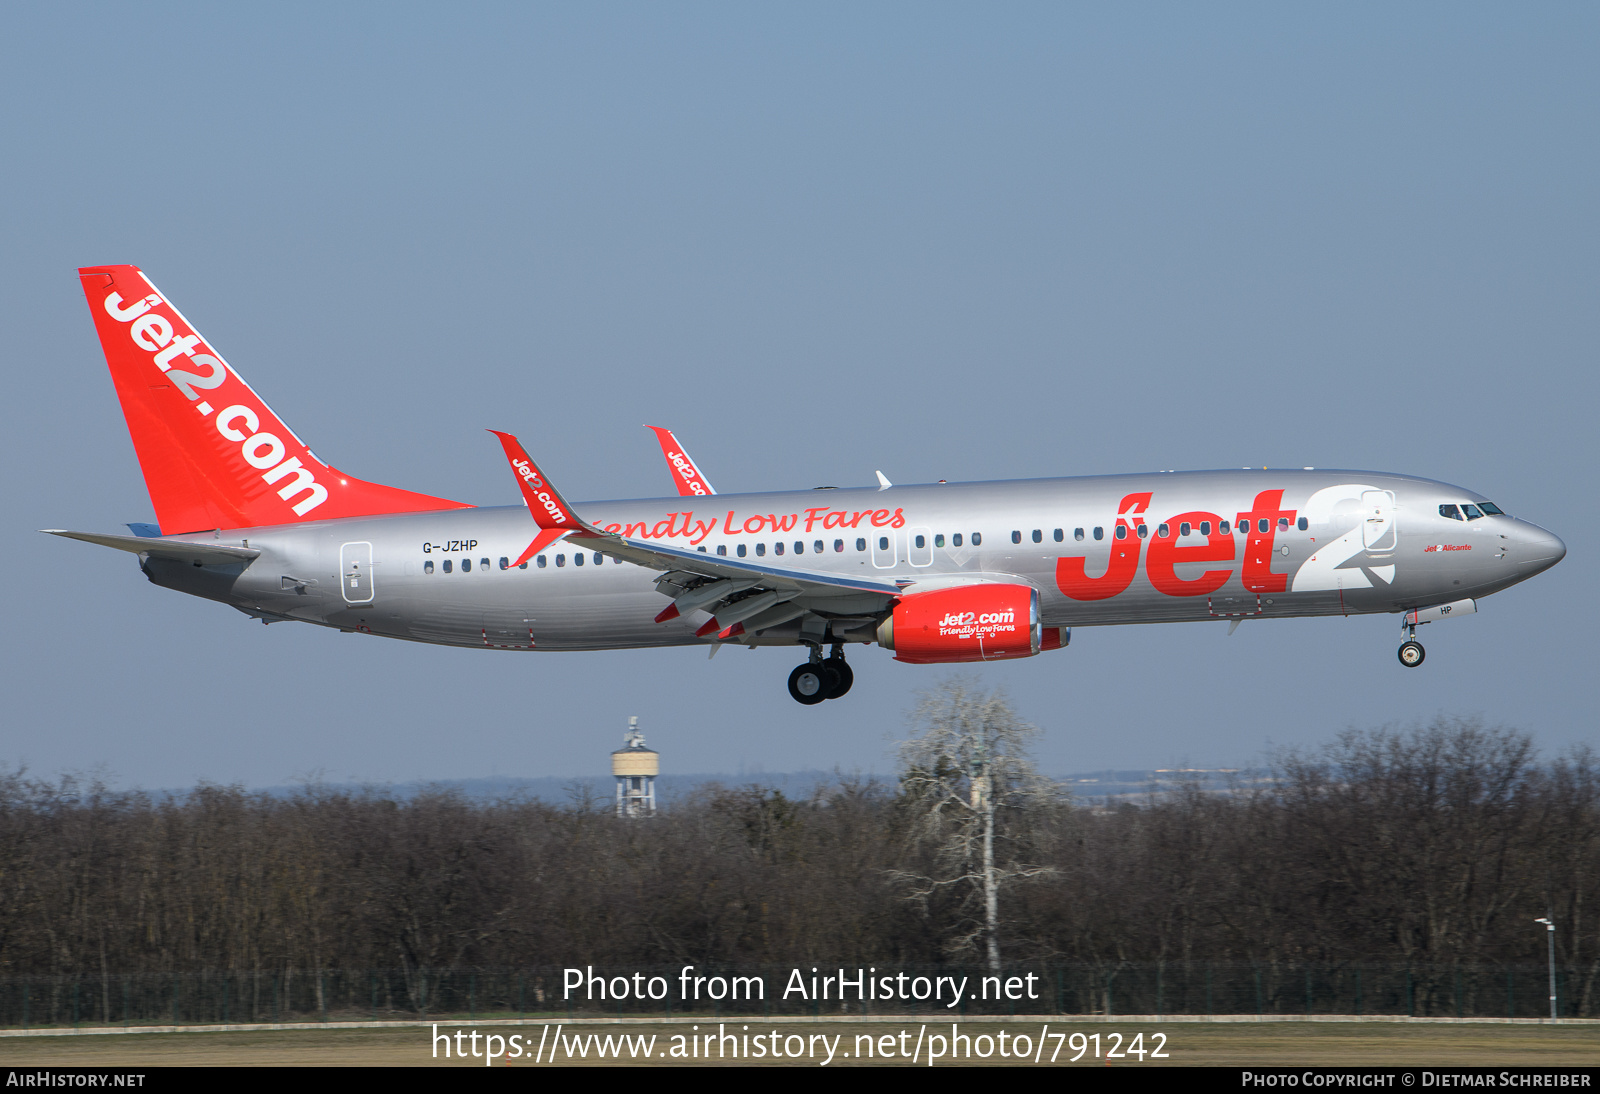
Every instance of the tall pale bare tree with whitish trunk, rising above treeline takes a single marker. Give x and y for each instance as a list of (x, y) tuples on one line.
[(969, 783)]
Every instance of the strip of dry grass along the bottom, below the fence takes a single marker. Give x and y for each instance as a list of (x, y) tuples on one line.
[(1190, 1044)]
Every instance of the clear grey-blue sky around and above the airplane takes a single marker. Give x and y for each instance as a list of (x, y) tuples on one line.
[(948, 242)]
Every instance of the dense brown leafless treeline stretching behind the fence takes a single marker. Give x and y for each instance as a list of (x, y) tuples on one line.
[(1430, 848)]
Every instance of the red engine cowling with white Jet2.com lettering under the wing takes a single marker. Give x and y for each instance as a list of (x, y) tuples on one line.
[(969, 623)]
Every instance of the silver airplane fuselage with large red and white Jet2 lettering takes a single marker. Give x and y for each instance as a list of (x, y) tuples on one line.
[(1372, 543)]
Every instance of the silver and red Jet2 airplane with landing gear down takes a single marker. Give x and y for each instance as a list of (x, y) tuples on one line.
[(940, 573)]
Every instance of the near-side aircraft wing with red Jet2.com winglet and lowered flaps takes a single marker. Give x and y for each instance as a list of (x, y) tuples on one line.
[(735, 591)]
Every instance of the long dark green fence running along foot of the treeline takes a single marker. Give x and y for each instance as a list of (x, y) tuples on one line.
[(297, 996)]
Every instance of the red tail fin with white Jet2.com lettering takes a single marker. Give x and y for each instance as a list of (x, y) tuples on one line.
[(214, 455)]
